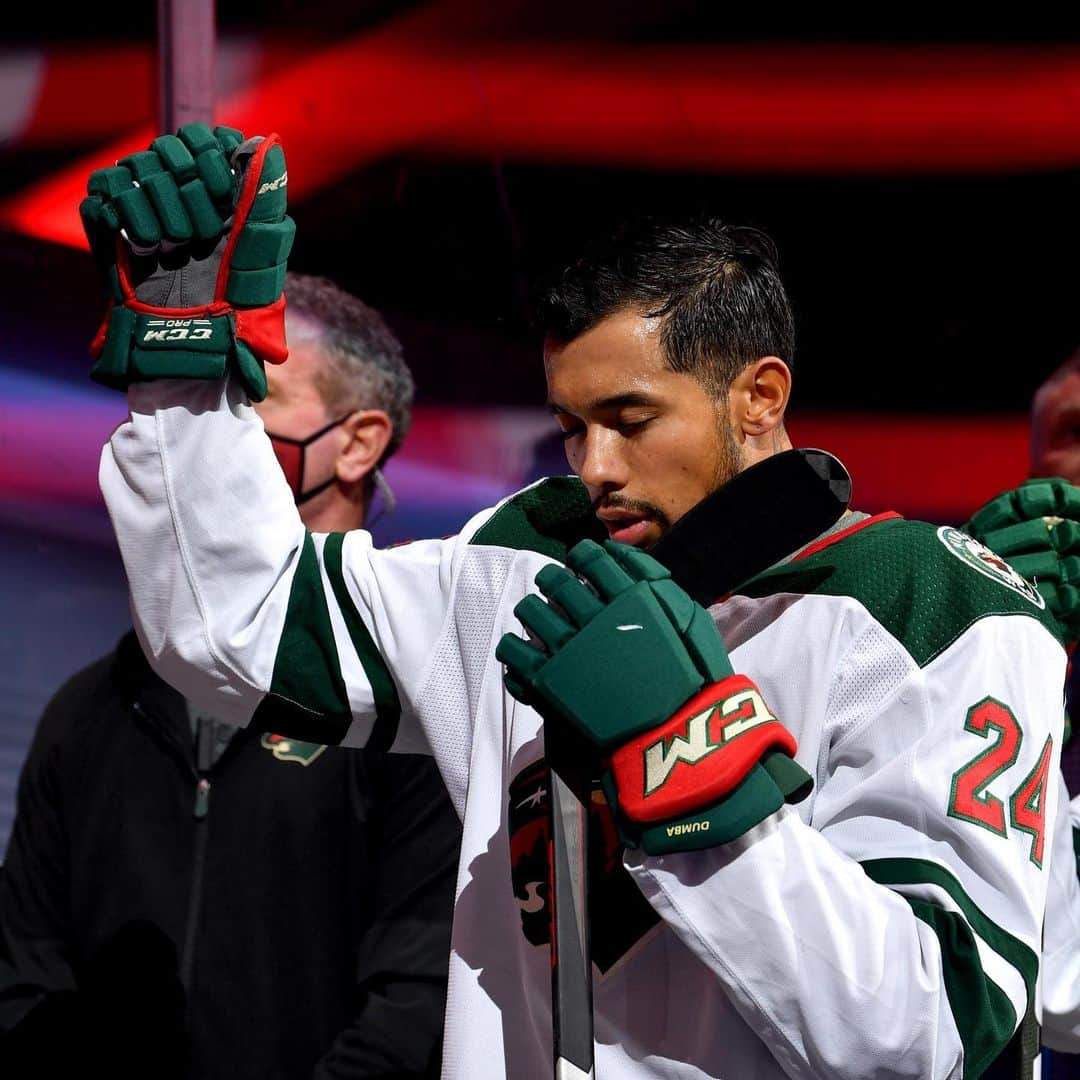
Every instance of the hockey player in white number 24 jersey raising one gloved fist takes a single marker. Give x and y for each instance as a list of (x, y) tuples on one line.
[(888, 925)]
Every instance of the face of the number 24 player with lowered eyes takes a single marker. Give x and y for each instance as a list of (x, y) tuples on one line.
[(650, 443)]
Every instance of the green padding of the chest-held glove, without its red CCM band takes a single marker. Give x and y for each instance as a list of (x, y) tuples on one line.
[(618, 655)]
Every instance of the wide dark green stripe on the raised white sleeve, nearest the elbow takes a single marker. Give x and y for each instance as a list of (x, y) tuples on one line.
[(307, 697)]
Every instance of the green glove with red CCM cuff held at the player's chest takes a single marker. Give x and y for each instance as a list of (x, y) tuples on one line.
[(696, 759)]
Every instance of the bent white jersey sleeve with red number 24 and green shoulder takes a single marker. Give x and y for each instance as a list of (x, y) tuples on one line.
[(892, 925)]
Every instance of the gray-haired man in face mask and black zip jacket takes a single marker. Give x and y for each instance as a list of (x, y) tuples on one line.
[(183, 899)]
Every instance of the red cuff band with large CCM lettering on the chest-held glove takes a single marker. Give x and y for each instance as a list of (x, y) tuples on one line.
[(698, 757)]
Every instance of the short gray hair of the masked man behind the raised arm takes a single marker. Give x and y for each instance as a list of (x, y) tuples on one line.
[(366, 368)]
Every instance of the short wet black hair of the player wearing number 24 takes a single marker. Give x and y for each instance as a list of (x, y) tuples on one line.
[(715, 287)]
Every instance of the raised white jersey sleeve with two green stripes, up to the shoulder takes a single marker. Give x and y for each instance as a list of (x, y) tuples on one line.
[(253, 618)]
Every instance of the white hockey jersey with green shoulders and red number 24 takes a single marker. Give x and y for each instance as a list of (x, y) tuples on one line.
[(889, 926)]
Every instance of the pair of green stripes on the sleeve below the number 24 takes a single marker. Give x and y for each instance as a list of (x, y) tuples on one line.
[(984, 1016)]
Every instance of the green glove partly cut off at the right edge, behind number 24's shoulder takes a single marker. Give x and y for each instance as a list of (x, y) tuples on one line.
[(1036, 528)]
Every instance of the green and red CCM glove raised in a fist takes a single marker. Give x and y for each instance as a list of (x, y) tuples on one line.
[(192, 238)]
